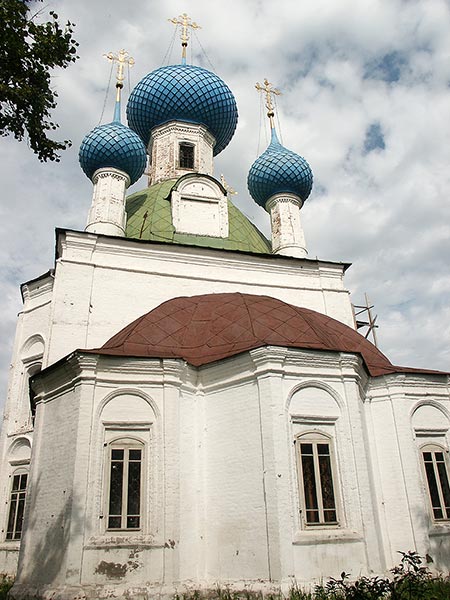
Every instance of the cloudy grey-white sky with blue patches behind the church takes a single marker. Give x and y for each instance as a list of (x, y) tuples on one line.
[(366, 100)]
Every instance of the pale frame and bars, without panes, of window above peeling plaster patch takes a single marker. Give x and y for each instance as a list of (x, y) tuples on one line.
[(125, 443)]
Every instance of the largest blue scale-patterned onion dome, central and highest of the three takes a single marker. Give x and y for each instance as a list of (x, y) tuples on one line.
[(183, 93)]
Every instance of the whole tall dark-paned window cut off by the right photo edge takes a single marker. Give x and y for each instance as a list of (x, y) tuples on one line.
[(435, 464)]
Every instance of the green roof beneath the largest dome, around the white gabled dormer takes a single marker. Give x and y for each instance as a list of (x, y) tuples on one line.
[(150, 218)]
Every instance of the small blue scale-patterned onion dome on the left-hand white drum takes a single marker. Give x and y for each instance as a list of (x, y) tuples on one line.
[(116, 146)]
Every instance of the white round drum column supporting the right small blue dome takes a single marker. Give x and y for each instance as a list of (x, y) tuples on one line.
[(288, 238)]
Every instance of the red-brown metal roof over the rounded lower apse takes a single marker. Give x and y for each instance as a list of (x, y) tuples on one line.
[(203, 329)]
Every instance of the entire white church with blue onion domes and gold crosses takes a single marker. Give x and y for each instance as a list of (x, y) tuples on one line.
[(190, 404)]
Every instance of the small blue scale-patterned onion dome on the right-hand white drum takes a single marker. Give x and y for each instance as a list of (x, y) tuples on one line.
[(279, 170)]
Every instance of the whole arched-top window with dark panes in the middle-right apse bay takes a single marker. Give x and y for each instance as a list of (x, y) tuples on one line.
[(315, 465)]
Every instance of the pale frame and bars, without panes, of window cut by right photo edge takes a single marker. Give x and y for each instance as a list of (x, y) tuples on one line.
[(434, 448)]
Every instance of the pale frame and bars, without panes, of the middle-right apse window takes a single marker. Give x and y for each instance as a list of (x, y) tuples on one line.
[(315, 438)]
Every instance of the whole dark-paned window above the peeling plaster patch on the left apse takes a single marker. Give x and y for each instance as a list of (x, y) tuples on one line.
[(124, 502)]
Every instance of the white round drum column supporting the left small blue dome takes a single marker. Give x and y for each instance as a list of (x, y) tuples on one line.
[(107, 214)]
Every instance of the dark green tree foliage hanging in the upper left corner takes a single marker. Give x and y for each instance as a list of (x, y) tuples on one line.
[(30, 50)]
